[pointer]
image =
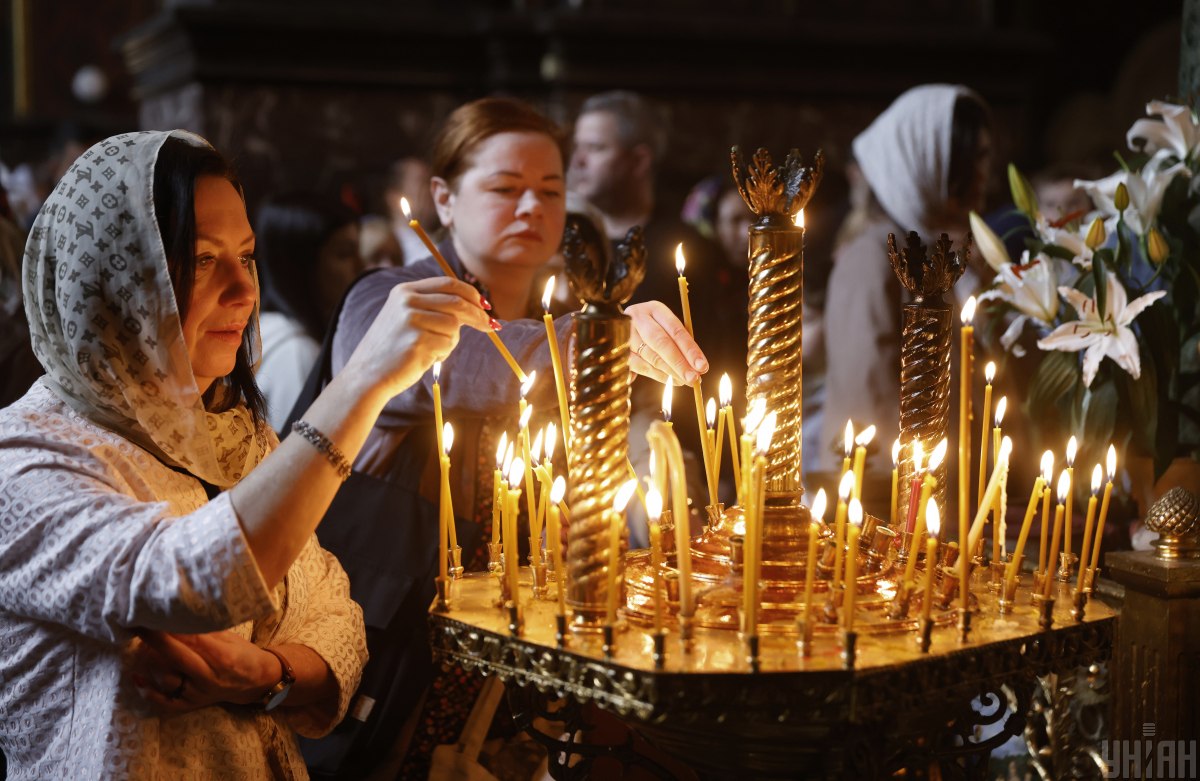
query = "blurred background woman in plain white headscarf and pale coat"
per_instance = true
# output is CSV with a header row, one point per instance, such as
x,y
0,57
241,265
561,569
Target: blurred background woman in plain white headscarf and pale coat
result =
x,y
926,160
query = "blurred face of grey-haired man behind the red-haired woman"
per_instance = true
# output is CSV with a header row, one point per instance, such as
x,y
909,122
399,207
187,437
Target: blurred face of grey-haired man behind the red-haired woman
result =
x,y
603,171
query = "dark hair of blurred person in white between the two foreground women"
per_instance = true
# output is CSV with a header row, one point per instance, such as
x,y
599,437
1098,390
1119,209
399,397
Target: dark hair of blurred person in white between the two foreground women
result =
x,y
289,236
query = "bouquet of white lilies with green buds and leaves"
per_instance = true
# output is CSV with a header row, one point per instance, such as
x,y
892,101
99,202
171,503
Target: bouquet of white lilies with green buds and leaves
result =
x,y
1119,284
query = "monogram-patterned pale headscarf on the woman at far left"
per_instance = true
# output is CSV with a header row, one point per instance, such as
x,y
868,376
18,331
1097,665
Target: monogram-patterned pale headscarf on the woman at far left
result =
x,y
104,319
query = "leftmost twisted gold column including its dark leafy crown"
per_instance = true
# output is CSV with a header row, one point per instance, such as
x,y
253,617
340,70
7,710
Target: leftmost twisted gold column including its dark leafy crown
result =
x,y
601,389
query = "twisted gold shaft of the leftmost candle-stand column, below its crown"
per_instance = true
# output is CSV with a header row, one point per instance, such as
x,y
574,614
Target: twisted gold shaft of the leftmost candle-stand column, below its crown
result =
x,y
601,389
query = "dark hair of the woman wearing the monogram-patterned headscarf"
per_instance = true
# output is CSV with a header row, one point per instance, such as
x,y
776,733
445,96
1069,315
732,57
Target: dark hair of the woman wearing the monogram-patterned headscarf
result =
x,y
176,173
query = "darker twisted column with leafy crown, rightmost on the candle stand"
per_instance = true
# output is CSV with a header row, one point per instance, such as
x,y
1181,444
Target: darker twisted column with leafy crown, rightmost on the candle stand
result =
x,y
926,350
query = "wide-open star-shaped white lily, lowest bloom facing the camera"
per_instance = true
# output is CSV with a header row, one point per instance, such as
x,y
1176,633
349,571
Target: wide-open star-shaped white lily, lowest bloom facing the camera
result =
x,y
1111,337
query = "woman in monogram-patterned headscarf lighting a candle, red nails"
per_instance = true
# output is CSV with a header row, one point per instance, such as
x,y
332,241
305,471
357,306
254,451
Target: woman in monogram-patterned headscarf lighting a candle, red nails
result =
x,y
164,605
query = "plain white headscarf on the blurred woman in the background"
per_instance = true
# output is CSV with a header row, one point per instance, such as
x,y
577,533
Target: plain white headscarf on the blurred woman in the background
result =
x,y
905,155
